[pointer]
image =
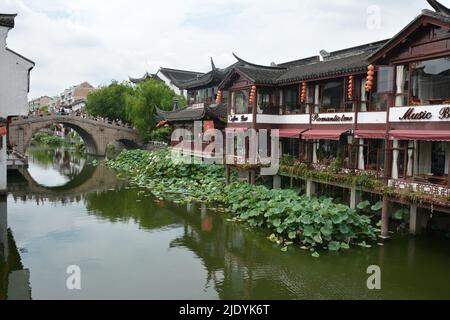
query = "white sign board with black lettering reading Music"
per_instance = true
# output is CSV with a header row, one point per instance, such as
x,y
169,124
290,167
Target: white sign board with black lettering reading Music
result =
x,y
435,113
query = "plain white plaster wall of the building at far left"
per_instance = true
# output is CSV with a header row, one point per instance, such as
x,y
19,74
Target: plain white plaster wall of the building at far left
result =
x,y
14,73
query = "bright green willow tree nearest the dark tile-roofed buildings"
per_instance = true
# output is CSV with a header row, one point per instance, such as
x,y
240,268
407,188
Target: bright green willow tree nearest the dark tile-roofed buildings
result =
x,y
141,106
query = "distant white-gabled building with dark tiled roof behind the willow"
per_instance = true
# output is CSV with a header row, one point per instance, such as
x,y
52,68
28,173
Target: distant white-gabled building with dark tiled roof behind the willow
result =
x,y
173,78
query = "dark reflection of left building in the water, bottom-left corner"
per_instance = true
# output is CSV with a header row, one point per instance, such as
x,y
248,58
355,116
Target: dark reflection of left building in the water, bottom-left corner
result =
x,y
14,279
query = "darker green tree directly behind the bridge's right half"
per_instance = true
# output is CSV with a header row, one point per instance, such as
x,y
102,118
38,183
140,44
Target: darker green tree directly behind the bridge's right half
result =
x,y
110,101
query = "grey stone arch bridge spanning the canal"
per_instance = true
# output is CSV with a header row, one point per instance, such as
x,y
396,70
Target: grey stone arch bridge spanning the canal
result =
x,y
96,134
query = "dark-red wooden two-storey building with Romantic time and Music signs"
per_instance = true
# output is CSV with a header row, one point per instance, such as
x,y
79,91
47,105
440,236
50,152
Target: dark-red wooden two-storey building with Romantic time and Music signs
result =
x,y
371,119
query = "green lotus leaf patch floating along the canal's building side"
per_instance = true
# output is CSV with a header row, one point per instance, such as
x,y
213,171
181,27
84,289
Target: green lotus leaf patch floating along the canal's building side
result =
x,y
316,223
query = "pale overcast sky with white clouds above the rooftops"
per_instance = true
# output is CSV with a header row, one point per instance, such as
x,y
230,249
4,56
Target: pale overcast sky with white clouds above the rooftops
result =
x,y
73,41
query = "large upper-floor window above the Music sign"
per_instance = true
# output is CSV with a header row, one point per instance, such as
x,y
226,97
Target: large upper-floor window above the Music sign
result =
x,y
431,82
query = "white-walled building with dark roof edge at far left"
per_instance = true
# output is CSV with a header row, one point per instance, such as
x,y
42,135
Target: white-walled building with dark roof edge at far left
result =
x,y
14,86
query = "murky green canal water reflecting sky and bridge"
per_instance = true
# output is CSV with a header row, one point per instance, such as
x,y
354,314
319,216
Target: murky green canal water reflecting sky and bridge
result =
x,y
130,246
